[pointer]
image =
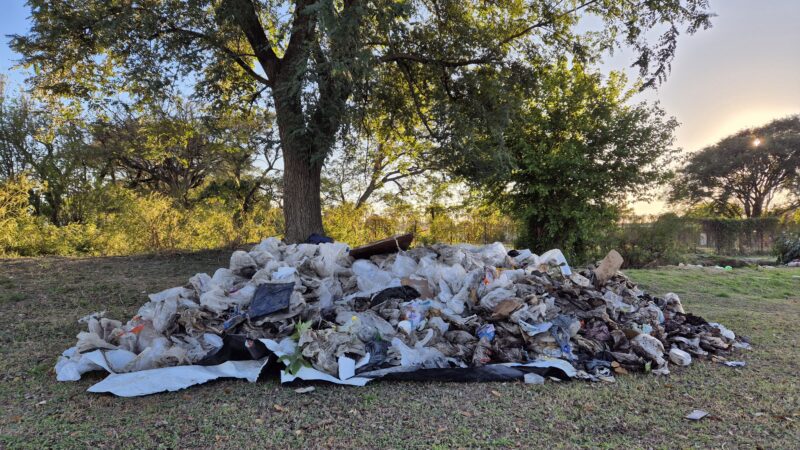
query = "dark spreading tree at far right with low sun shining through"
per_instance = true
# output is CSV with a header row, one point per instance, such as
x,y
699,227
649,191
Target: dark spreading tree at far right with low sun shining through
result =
x,y
750,168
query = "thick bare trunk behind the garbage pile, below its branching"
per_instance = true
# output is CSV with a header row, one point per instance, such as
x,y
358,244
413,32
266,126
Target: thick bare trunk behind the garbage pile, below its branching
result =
x,y
302,208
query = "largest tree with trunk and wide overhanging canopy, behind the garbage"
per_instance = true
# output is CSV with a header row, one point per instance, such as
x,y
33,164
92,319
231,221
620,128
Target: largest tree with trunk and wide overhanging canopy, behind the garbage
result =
x,y
318,60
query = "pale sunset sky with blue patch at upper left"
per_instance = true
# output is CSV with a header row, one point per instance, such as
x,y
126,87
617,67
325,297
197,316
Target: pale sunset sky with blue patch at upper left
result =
x,y
743,72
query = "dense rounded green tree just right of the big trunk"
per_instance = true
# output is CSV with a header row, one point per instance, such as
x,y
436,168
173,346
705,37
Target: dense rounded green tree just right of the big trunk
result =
x,y
575,152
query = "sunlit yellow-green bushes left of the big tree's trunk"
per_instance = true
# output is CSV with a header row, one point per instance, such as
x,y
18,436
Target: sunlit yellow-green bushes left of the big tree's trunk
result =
x,y
128,223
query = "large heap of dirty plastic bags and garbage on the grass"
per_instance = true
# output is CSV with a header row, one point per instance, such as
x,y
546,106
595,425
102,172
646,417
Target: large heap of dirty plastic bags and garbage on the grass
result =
x,y
452,312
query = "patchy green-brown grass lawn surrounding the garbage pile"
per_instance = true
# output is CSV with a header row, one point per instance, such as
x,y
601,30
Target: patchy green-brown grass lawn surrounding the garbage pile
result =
x,y
41,299
